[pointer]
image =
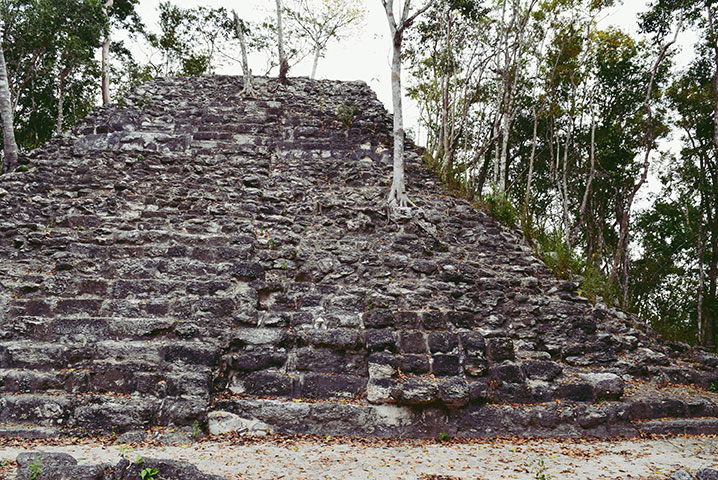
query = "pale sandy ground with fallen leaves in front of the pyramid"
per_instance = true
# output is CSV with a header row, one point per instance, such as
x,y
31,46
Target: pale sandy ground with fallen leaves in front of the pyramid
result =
x,y
334,458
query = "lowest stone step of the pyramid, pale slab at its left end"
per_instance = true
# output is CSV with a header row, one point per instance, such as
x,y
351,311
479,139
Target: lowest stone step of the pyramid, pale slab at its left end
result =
x,y
567,420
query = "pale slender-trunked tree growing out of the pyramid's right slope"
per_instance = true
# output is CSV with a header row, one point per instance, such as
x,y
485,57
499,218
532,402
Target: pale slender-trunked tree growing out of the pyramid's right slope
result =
x,y
397,194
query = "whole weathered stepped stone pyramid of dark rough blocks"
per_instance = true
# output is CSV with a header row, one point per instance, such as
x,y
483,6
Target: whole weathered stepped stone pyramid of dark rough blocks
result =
x,y
202,256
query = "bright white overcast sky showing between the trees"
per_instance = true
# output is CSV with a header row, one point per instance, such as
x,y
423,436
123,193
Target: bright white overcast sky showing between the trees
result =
x,y
366,55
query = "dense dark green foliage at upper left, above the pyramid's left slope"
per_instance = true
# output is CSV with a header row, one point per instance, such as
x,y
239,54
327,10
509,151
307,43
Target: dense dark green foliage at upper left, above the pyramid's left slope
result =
x,y
50,48
